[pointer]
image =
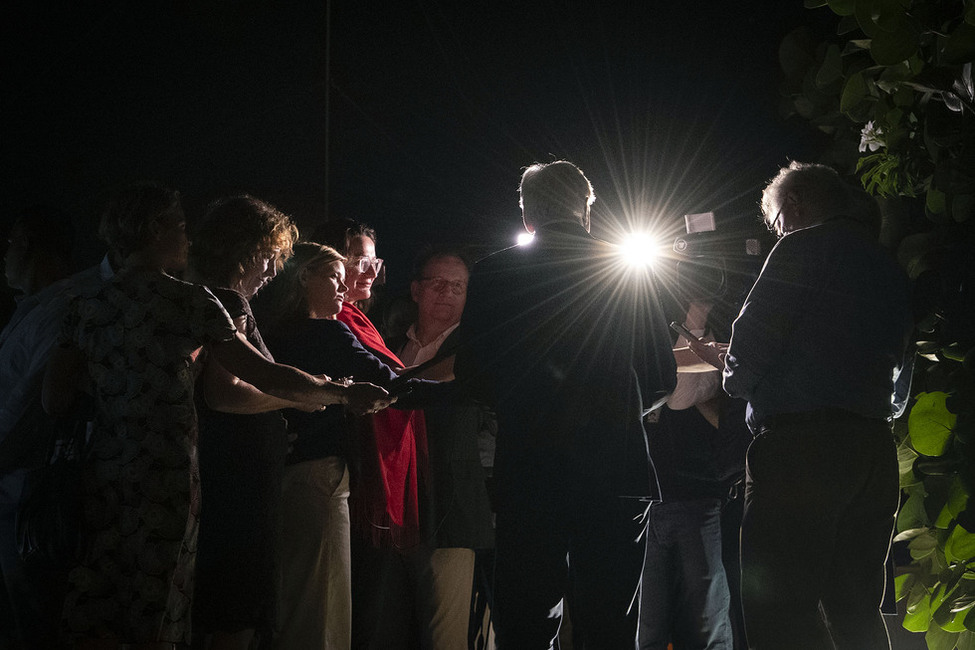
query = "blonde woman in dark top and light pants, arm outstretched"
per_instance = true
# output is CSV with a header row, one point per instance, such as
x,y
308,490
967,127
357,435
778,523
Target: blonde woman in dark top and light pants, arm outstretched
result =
x,y
305,300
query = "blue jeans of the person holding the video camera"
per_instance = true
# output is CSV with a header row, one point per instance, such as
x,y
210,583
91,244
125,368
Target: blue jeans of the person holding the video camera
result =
x,y
685,598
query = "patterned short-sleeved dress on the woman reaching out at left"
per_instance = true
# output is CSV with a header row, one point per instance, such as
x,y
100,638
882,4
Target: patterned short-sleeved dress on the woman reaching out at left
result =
x,y
140,335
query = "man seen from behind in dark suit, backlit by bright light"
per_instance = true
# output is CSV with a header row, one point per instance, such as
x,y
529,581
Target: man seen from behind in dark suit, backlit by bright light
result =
x,y
570,347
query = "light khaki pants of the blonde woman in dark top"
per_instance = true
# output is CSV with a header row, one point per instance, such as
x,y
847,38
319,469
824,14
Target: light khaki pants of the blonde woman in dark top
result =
x,y
315,601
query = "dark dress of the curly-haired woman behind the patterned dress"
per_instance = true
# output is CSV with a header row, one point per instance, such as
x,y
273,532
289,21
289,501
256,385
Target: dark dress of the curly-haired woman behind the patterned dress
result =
x,y
241,464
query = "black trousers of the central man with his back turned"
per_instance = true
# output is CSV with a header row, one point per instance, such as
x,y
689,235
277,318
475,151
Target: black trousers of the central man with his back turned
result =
x,y
587,548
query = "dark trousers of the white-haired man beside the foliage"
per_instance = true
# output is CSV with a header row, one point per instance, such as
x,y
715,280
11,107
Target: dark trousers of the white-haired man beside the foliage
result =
x,y
820,498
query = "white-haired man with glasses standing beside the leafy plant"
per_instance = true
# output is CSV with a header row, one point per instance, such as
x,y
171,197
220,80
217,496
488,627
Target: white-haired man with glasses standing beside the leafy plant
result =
x,y
814,350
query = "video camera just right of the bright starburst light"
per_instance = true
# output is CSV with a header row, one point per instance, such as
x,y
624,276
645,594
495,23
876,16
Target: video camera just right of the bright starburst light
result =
x,y
712,265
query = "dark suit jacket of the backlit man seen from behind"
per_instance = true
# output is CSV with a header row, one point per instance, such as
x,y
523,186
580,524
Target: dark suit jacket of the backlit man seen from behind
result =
x,y
569,347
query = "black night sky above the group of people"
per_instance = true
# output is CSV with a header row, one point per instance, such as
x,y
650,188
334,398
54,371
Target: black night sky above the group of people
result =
x,y
432,110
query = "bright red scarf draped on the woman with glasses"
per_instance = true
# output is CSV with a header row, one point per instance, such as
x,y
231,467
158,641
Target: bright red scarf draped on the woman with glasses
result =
x,y
384,506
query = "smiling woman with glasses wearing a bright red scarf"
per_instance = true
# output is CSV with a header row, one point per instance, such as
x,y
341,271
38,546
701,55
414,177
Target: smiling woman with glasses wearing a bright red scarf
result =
x,y
383,505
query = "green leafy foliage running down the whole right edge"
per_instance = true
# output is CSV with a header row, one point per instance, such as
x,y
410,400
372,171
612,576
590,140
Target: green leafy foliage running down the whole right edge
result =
x,y
894,89
